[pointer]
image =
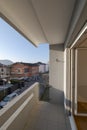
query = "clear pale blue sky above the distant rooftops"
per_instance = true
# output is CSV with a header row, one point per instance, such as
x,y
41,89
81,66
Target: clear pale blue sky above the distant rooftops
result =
x,y
16,48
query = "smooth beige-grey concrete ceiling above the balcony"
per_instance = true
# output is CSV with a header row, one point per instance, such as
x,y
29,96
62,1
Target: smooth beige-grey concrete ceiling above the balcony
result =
x,y
40,21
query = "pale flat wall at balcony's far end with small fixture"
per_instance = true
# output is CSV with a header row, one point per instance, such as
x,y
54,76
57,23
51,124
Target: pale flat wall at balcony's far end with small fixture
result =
x,y
56,68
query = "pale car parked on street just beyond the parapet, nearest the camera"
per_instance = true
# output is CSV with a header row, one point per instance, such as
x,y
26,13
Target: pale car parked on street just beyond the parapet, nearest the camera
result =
x,y
7,99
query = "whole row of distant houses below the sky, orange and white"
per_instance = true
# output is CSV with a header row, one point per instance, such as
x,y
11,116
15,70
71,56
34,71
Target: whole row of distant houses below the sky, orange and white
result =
x,y
21,69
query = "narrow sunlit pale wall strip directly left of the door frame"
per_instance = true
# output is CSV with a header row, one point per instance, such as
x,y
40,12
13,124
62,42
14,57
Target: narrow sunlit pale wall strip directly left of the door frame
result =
x,y
67,89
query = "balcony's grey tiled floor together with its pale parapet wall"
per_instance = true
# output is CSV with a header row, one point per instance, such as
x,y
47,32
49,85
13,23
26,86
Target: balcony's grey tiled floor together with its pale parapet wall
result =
x,y
27,112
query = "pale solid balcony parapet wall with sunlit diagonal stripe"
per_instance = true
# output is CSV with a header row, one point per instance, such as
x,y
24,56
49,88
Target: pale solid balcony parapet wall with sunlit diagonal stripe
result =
x,y
14,115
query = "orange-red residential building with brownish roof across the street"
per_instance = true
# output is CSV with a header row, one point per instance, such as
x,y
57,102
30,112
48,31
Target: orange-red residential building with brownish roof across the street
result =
x,y
20,69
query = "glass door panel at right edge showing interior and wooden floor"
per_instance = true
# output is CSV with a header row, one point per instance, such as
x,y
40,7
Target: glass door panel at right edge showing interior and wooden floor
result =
x,y
81,76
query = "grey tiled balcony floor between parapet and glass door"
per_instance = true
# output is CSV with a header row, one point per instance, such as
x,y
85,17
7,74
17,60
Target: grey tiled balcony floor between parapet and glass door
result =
x,y
49,115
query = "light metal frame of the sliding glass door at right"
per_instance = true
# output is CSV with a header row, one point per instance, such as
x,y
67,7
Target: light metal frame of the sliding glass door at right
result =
x,y
73,72
